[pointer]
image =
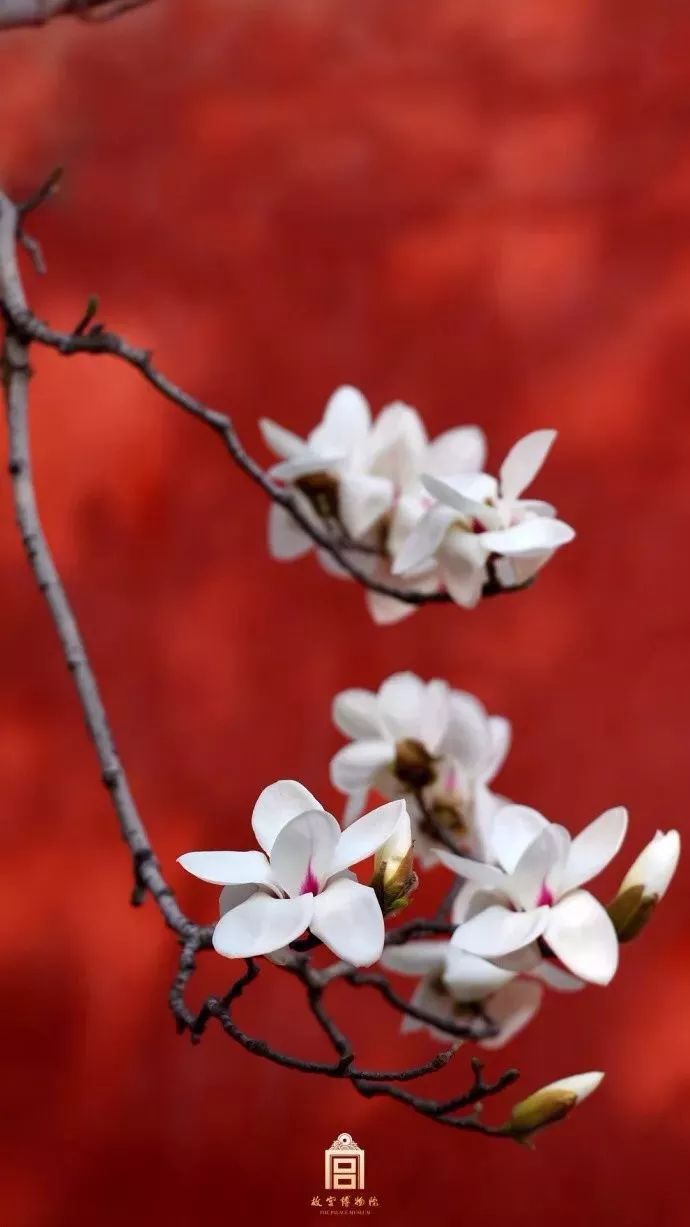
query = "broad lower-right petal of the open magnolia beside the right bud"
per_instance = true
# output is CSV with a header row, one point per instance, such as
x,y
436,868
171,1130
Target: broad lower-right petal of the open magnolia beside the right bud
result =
x,y
581,934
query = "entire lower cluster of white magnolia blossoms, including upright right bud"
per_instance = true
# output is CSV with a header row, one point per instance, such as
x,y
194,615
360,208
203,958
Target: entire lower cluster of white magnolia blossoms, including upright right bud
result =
x,y
522,917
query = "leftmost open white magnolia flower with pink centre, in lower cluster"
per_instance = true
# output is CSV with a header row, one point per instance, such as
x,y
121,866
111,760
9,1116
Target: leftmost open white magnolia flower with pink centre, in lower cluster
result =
x,y
300,880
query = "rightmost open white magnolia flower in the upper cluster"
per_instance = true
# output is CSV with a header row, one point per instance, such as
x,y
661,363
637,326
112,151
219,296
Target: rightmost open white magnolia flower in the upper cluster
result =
x,y
478,518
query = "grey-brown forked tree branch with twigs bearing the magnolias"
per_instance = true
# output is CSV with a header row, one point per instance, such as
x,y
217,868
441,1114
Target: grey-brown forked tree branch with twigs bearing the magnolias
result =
x,y
23,328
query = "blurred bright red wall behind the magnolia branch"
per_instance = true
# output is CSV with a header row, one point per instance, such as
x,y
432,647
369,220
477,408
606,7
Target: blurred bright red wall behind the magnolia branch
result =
x,y
482,209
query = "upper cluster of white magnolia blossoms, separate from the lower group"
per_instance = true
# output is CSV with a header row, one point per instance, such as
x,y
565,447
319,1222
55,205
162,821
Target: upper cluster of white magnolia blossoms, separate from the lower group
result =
x,y
417,515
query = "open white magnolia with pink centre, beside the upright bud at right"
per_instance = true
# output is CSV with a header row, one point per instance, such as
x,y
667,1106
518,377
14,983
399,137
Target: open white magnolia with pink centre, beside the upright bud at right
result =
x,y
541,873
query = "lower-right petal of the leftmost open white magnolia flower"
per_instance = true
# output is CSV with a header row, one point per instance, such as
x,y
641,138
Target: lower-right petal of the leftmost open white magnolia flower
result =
x,y
349,921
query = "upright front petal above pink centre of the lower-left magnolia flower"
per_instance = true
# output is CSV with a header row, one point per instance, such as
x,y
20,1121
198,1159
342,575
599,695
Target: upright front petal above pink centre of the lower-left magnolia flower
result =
x,y
303,853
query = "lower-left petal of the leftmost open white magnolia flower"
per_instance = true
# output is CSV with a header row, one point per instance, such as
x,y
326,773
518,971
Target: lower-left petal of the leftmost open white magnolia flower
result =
x,y
262,925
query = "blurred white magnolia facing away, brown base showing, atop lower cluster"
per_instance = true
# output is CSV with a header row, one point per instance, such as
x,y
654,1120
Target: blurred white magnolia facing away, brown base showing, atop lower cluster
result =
x,y
422,740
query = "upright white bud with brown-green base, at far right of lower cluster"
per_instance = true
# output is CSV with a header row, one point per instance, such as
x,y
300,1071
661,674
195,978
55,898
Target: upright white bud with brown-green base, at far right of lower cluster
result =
x,y
645,884
